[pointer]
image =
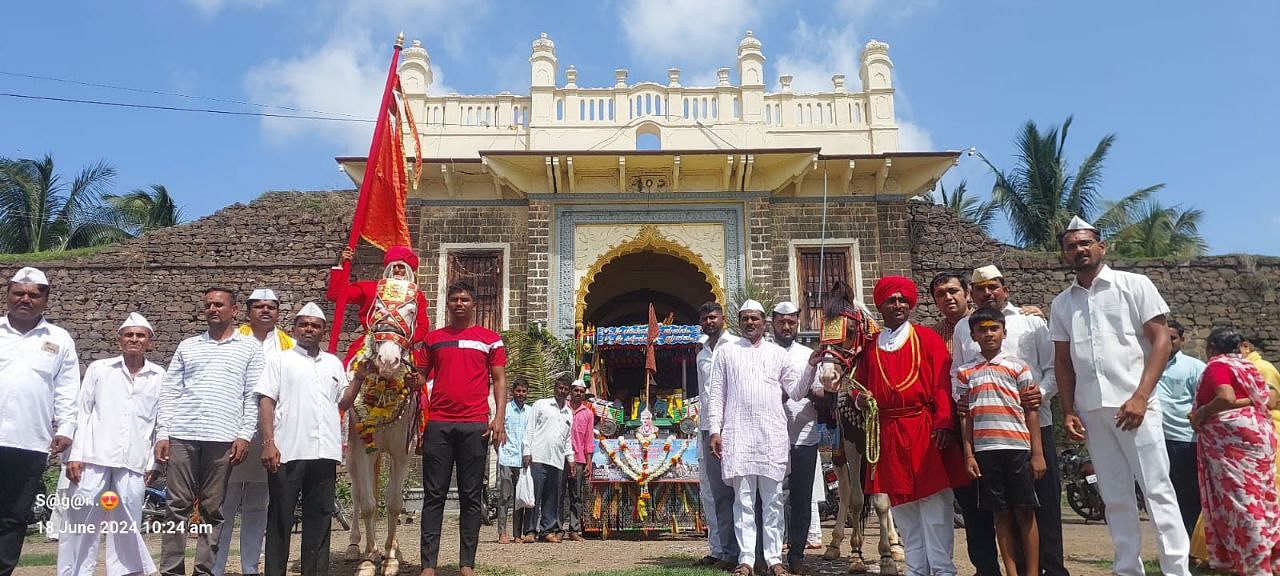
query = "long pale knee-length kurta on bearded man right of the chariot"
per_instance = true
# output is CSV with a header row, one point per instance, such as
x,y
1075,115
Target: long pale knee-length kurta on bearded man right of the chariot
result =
x,y
746,408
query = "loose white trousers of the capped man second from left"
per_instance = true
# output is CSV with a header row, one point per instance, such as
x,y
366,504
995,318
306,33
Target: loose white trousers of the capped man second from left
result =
x,y
126,551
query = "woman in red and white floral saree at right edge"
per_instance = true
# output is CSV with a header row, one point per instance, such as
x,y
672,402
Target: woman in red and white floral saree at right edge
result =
x,y
1237,447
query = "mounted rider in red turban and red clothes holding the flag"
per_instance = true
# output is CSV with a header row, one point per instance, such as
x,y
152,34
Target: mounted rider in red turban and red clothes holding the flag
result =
x,y
400,263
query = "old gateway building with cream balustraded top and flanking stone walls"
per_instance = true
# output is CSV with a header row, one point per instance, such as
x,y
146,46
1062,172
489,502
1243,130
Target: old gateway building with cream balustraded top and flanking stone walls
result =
x,y
547,205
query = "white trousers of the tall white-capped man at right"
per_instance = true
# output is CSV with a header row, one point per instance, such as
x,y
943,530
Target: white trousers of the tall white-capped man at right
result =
x,y
1119,459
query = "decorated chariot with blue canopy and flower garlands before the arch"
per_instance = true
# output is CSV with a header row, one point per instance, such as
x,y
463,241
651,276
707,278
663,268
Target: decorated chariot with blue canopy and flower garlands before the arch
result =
x,y
646,468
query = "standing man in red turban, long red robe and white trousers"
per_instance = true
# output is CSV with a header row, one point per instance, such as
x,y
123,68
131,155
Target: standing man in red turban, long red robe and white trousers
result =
x,y
908,373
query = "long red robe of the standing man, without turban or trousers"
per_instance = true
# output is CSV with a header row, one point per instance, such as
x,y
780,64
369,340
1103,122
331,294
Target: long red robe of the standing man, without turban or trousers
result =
x,y
913,390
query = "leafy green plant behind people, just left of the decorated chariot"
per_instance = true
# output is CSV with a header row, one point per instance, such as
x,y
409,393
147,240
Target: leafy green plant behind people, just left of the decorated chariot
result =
x,y
538,358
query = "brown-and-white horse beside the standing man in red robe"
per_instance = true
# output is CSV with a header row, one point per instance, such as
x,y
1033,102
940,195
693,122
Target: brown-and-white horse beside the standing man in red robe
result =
x,y
848,330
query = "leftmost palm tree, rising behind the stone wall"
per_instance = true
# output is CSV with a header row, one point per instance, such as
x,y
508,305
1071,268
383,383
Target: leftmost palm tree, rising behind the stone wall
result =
x,y
39,212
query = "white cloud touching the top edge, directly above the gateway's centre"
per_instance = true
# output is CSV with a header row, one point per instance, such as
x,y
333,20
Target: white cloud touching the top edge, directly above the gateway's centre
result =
x,y
691,34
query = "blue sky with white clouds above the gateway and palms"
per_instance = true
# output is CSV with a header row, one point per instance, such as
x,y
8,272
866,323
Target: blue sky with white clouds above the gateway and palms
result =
x,y
1191,89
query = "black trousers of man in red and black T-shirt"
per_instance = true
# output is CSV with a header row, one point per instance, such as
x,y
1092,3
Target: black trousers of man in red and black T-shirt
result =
x,y
449,446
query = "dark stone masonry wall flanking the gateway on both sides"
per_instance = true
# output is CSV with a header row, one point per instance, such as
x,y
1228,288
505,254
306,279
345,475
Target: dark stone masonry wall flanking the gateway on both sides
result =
x,y
290,240
